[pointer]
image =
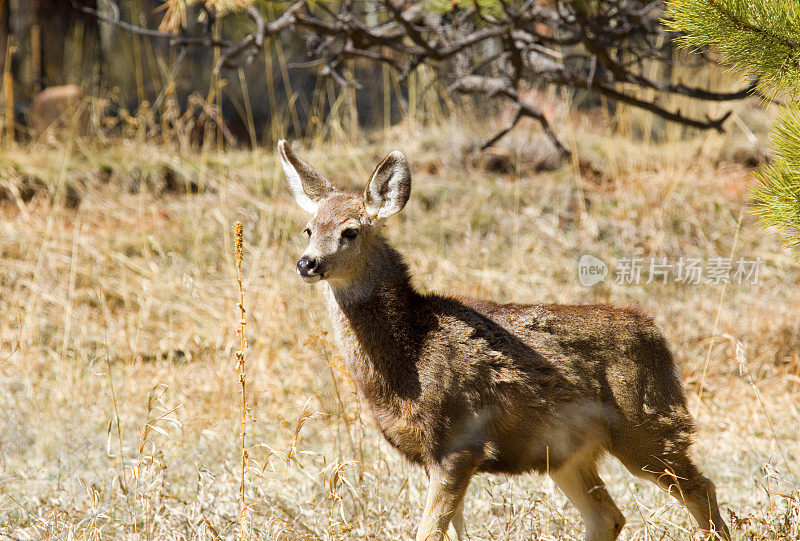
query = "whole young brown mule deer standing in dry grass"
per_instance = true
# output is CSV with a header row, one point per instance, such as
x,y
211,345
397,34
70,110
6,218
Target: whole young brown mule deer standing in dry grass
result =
x,y
462,386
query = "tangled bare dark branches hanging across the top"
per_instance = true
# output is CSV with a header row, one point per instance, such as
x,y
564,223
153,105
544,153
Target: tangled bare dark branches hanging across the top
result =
x,y
581,45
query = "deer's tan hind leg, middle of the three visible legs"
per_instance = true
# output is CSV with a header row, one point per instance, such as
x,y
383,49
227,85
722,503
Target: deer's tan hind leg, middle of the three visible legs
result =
x,y
587,492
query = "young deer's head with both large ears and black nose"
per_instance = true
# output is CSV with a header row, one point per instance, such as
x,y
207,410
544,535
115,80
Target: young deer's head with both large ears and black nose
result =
x,y
344,226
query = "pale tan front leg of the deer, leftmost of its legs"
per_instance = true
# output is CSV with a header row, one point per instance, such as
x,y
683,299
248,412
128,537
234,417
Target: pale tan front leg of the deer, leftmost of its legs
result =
x,y
448,483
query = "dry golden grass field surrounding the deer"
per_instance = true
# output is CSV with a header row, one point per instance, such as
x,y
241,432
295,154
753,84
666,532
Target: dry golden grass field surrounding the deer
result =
x,y
118,388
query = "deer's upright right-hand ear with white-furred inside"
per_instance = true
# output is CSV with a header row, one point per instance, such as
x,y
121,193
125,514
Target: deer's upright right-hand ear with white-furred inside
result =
x,y
389,186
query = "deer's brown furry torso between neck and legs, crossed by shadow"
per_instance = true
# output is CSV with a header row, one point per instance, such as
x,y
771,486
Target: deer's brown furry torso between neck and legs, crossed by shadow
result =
x,y
529,385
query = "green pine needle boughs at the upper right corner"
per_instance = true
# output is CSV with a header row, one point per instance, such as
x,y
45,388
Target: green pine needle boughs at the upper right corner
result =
x,y
760,38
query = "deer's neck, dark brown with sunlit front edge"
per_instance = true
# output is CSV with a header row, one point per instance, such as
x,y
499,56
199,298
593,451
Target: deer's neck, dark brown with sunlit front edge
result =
x,y
375,323
